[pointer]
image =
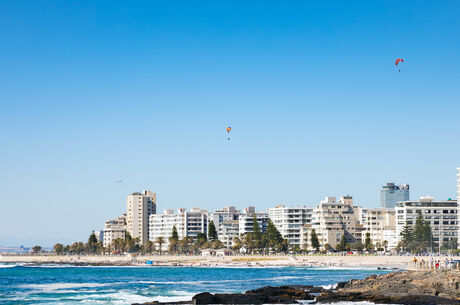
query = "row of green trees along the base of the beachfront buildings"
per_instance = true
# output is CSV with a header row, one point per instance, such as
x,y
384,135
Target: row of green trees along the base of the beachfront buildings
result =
x,y
416,241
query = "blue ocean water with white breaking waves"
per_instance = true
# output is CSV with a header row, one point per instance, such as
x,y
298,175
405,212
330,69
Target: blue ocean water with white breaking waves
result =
x,y
55,284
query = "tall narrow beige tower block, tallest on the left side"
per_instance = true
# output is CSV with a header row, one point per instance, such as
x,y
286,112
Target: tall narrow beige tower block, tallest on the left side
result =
x,y
139,207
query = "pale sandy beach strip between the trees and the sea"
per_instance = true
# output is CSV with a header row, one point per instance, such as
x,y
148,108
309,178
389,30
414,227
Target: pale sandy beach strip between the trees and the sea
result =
x,y
212,261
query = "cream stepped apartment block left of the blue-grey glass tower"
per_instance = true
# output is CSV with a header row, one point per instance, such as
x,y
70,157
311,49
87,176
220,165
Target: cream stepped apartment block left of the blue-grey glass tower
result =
x,y
331,220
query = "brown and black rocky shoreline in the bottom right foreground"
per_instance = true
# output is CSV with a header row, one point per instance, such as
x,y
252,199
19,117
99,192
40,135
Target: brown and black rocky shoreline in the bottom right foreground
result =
x,y
408,287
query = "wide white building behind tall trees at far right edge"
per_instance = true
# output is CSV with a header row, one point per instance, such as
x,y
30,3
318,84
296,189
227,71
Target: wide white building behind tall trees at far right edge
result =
x,y
441,215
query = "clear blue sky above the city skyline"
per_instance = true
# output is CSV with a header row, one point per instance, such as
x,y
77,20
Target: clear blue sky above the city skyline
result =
x,y
96,91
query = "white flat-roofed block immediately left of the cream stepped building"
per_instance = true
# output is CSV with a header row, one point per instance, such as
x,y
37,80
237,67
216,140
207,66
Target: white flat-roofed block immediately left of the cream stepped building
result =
x,y
289,221
